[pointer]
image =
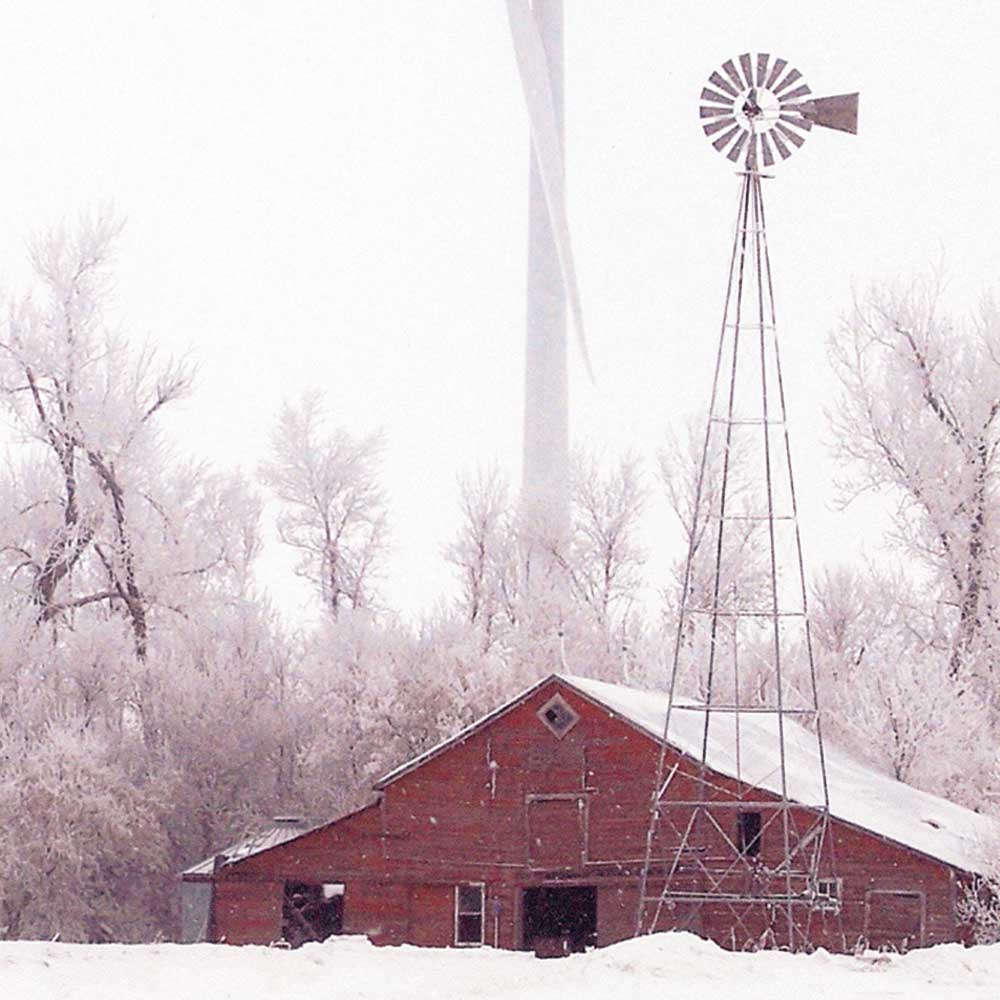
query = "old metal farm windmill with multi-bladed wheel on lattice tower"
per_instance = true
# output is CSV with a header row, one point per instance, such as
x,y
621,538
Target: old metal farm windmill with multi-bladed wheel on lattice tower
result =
x,y
749,860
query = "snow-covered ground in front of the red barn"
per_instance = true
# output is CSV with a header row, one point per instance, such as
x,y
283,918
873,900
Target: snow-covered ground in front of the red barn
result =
x,y
662,966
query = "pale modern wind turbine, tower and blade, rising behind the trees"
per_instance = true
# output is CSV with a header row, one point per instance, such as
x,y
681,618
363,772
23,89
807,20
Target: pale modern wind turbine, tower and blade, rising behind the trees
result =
x,y
536,31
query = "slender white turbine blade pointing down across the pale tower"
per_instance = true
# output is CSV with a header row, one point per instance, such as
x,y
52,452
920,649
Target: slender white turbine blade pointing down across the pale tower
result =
x,y
546,142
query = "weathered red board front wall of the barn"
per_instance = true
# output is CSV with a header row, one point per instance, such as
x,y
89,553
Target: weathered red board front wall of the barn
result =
x,y
512,806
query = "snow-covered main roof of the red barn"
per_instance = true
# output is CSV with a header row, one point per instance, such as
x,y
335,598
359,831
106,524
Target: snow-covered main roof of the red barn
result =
x,y
858,795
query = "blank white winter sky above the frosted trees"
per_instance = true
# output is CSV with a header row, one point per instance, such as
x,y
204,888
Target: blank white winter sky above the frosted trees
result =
x,y
334,194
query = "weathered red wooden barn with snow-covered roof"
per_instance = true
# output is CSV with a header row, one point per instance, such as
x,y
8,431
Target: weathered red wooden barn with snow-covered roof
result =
x,y
528,829
